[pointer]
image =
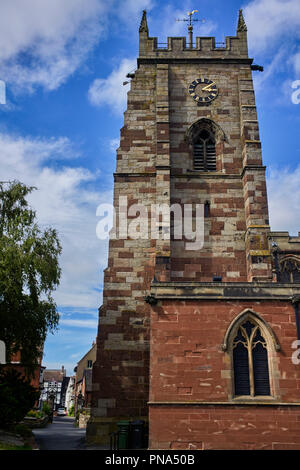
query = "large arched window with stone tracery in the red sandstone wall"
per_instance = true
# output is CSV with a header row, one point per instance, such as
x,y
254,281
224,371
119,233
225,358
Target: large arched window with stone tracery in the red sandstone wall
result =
x,y
250,361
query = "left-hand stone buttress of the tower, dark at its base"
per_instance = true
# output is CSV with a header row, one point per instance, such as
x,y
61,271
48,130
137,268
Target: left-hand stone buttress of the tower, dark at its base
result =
x,y
121,372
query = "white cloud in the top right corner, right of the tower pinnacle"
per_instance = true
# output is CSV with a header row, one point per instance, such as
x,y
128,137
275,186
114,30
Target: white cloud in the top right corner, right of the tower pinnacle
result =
x,y
269,20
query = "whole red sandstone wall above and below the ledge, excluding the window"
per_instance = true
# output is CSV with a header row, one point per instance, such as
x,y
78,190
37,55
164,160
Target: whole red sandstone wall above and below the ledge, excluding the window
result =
x,y
189,365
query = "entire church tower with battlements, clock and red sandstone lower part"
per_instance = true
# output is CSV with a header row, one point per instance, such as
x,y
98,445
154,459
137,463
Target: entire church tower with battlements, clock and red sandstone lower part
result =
x,y
196,334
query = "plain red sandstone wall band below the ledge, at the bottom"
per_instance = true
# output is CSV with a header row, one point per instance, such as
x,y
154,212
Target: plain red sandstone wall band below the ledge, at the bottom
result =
x,y
225,427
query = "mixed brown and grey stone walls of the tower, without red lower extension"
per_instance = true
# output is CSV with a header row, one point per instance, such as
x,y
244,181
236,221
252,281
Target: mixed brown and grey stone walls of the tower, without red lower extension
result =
x,y
154,166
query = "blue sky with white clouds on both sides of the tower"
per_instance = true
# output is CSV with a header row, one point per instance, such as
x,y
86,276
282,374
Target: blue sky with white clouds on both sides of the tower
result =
x,y
64,64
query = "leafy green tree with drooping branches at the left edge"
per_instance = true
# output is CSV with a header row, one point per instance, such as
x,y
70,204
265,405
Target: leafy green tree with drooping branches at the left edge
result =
x,y
29,272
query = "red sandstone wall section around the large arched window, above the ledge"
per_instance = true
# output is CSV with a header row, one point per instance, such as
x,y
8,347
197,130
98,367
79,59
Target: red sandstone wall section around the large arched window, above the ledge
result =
x,y
187,361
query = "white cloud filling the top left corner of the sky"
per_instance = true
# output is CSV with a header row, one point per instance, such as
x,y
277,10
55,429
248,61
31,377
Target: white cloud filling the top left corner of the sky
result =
x,y
46,24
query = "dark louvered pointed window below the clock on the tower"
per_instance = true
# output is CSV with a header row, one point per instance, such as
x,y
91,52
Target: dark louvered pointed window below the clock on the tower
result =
x,y
205,152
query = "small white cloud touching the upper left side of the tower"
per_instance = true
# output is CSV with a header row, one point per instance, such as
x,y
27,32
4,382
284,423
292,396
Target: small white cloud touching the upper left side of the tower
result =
x,y
110,91
